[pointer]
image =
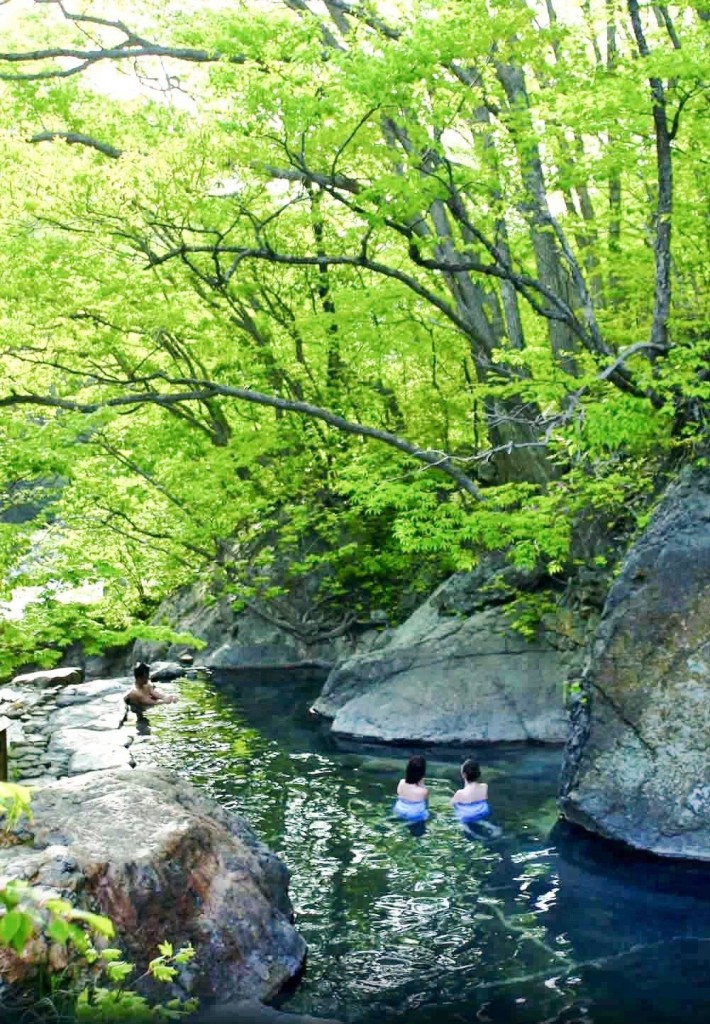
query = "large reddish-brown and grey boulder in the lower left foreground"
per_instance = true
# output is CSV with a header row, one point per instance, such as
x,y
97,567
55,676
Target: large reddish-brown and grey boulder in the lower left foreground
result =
x,y
165,864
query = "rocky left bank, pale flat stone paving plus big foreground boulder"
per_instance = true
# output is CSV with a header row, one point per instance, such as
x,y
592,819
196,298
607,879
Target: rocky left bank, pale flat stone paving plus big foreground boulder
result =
x,y
147,849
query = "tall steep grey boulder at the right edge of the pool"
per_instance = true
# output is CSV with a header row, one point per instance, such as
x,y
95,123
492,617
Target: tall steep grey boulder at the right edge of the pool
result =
x,y
637,766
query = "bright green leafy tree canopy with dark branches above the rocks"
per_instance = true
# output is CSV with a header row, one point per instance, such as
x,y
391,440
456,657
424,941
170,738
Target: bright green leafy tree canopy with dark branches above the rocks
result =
x,y
389,285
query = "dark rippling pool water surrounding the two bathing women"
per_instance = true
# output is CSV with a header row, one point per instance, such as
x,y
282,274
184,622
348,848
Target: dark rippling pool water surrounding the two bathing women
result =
x,y
540,925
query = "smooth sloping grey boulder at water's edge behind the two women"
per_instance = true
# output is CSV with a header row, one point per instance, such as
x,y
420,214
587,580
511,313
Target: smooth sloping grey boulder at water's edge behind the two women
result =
x,y
456,673
